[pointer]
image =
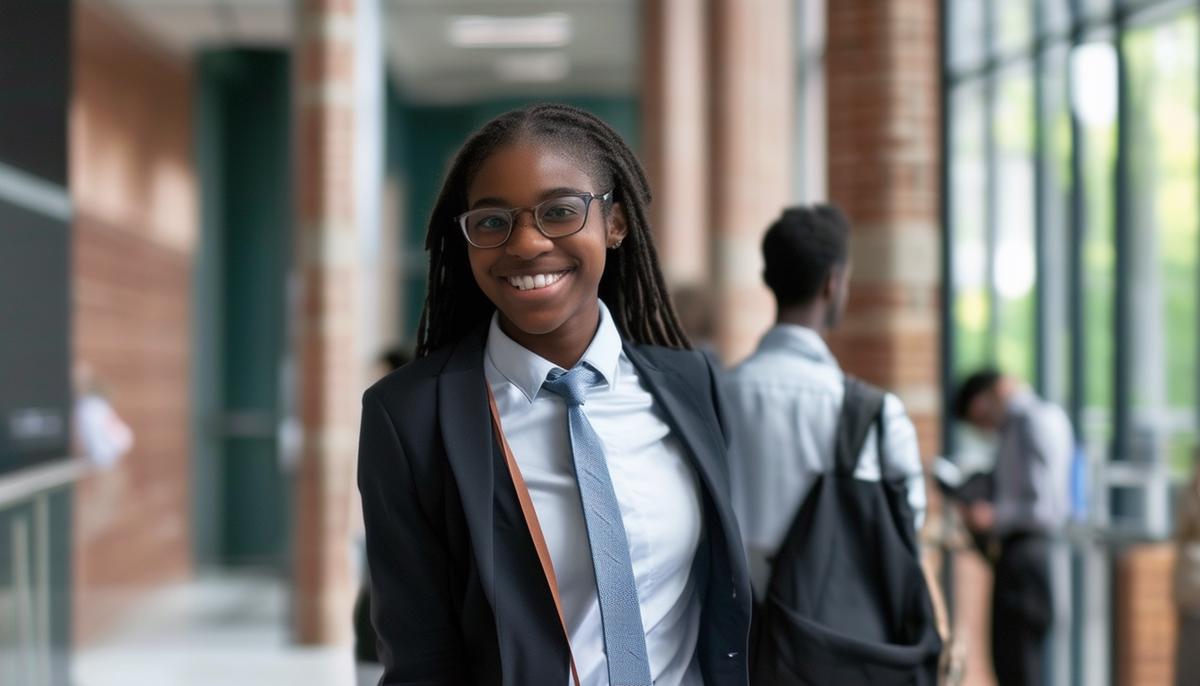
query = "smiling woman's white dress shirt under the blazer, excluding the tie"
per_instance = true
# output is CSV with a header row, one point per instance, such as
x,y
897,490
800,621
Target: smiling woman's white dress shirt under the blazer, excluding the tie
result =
x,y
656,486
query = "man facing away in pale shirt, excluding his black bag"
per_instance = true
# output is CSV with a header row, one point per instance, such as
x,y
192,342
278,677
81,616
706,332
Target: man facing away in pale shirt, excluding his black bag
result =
x,y
787,399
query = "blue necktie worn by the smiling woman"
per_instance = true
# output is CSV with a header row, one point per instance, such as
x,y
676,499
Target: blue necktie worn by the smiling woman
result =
x,y
621,617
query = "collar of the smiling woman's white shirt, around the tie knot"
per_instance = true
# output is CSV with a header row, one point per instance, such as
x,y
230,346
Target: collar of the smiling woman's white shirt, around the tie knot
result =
x,y
527,371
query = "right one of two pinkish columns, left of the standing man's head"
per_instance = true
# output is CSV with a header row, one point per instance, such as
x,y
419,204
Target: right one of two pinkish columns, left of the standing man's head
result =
x,y
753,81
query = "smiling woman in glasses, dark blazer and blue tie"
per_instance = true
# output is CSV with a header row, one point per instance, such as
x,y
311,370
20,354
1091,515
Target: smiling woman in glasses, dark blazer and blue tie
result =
x,y
583,539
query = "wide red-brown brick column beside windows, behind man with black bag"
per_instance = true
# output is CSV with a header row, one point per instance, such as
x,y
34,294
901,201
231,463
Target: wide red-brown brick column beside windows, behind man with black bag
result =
x,y
883,76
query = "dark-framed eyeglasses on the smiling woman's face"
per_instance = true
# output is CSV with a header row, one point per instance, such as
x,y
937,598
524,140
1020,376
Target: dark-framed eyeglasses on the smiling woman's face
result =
x,y
557,218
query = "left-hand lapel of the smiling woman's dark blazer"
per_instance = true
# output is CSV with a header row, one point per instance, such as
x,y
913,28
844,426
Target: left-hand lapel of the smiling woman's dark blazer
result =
x,y
467,437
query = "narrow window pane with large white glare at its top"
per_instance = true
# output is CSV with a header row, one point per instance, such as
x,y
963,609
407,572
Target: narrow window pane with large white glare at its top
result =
x,y
1095,103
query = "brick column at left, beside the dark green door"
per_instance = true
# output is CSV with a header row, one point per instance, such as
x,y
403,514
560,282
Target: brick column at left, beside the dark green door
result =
x,y
331,376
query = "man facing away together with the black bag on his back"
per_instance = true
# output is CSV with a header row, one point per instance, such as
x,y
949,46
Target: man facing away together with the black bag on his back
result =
x,y
827,485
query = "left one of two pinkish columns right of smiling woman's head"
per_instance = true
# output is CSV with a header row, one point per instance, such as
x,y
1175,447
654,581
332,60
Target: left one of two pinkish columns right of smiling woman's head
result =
x,y
675,136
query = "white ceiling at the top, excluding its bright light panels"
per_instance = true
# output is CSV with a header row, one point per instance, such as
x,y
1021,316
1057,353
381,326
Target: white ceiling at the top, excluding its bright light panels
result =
x,y
602,58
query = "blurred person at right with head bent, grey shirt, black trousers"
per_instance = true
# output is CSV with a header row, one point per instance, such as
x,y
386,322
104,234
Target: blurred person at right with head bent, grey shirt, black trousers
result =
x,y
1028,507
